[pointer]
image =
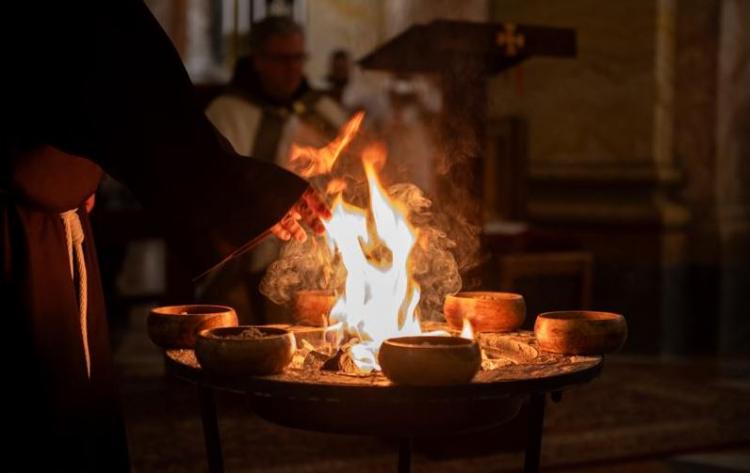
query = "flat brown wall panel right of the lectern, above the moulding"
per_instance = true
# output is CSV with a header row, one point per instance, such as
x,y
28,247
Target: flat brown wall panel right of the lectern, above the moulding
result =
x,y
595,110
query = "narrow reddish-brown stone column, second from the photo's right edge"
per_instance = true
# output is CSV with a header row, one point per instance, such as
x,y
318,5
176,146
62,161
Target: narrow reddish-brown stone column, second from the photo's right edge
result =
x,y
697,41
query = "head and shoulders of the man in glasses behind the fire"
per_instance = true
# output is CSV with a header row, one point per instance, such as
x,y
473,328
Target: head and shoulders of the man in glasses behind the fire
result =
x,y
269,103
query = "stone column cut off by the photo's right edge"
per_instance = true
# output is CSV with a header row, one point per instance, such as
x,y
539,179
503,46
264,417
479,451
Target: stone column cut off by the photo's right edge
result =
x,y
733,175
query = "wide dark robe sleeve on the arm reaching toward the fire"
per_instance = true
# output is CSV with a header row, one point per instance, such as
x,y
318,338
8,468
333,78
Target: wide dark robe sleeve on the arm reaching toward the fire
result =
x,y
138,119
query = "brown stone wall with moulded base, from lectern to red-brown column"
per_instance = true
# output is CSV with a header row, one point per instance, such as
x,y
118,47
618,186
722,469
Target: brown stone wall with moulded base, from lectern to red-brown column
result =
x,y
603,167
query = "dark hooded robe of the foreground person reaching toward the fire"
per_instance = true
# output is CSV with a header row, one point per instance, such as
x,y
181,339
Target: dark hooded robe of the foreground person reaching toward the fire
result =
x,y
91,86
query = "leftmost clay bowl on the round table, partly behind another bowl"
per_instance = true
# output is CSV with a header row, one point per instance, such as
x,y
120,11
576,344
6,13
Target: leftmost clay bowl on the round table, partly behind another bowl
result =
x,y
176,326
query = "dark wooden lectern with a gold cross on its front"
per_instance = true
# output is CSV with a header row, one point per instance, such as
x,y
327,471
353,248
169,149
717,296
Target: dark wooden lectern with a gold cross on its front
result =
x,y
464,55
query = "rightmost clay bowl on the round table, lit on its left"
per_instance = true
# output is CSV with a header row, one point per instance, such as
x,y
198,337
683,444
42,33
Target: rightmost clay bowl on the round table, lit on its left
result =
x,y
580,332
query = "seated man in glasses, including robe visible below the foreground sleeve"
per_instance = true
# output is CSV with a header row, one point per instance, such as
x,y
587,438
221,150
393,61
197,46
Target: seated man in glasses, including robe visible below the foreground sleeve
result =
x,y
267,106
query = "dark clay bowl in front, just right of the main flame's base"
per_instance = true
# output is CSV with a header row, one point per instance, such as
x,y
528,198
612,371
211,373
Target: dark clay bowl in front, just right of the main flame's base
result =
x,y
429,360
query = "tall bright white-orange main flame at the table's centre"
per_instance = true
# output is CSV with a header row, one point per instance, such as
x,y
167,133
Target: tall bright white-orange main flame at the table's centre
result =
x,y
380,297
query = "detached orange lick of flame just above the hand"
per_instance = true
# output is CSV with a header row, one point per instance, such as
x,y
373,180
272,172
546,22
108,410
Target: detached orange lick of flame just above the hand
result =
x,y
308,161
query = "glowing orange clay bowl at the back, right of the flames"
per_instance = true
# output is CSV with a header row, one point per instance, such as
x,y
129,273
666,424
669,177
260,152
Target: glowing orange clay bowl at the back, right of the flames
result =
x,y
486,311
